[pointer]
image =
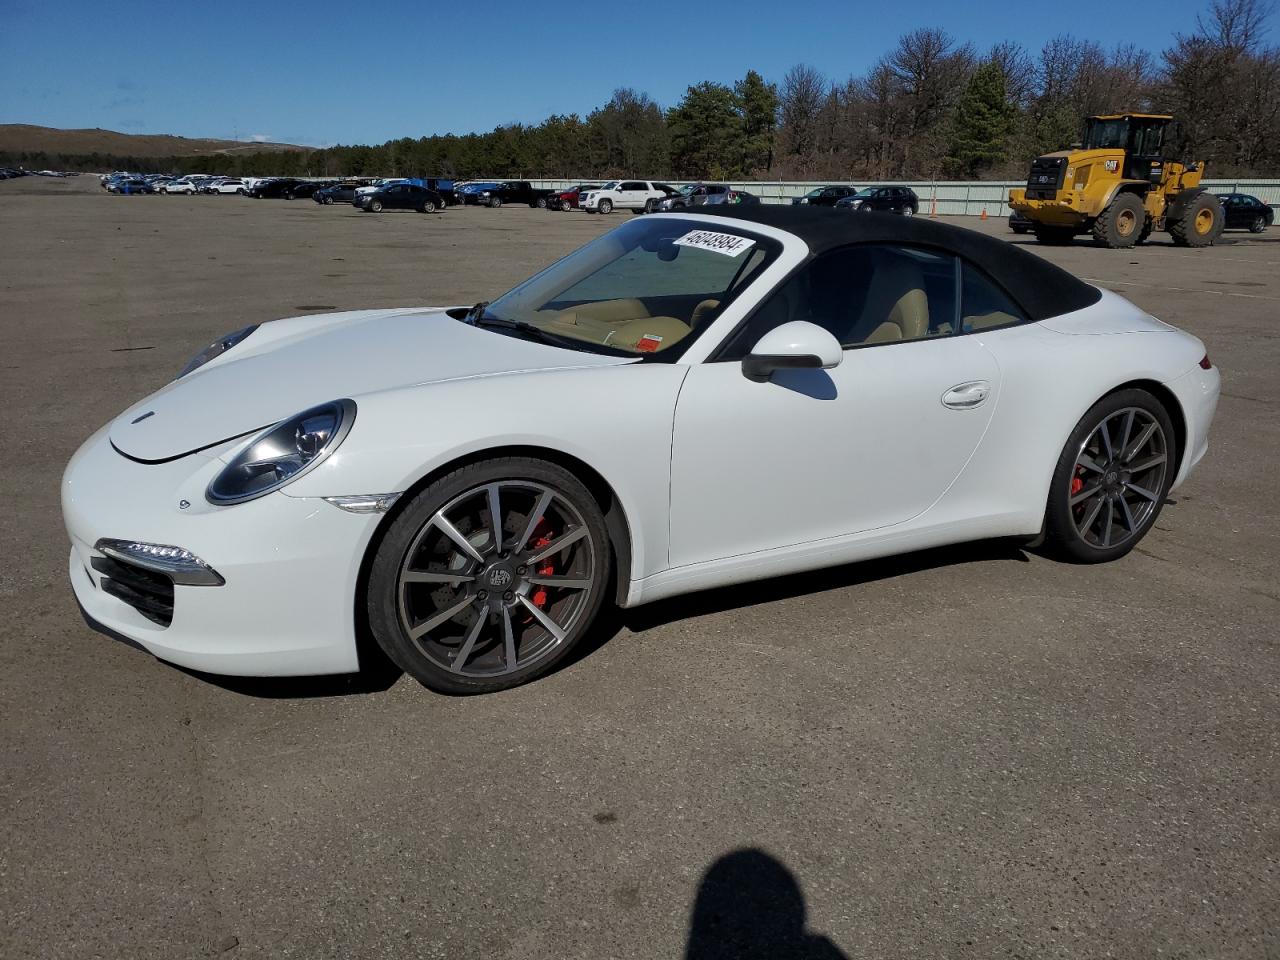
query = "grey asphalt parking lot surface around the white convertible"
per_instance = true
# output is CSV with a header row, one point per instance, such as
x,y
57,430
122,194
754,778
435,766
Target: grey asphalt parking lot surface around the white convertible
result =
x,y
966,753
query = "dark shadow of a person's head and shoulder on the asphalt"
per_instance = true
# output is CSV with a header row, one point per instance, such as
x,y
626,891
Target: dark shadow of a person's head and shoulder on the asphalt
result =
x,y
751,907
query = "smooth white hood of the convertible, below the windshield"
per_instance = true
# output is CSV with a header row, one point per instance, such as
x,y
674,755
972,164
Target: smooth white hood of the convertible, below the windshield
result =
x,y
287,367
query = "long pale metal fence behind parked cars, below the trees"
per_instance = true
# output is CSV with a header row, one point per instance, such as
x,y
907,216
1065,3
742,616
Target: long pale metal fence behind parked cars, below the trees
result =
x,y
945,198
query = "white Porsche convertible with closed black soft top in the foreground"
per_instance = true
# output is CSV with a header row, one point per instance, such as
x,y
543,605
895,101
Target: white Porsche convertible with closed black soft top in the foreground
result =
x,y
692,400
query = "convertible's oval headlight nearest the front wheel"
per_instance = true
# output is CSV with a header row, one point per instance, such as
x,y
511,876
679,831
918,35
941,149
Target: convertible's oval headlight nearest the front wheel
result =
x,y
282,454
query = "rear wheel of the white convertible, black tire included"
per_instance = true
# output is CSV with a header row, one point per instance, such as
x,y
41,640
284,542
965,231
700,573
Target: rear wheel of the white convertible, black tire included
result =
x,y
1112,479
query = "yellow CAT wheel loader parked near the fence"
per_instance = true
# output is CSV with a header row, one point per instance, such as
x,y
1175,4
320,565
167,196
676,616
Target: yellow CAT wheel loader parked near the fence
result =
x,y
1121,185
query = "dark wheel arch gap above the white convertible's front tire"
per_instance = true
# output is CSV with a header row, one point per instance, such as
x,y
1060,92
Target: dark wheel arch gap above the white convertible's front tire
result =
x,y
615,522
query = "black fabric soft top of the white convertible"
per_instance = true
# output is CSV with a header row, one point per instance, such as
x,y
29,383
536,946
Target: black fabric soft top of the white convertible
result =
x,y
1040,289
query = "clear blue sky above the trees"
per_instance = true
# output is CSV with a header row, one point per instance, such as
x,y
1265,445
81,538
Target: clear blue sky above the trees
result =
x,y
323,74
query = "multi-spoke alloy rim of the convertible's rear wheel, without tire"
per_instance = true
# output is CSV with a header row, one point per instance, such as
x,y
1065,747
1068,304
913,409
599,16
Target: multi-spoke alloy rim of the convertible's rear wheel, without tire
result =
x,y
1119,478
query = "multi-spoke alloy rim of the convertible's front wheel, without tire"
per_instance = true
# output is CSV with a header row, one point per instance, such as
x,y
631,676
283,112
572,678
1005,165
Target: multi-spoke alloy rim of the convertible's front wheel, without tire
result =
x,y
497,579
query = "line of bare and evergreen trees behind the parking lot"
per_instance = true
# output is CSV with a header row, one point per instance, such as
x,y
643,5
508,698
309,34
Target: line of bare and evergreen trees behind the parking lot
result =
x,y
930,109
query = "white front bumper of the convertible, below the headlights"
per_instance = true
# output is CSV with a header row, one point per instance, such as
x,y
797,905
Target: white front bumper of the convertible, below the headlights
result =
x,y
291,565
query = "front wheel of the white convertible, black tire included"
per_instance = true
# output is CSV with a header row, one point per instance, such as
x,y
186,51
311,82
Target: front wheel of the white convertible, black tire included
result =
x,y
469,606
